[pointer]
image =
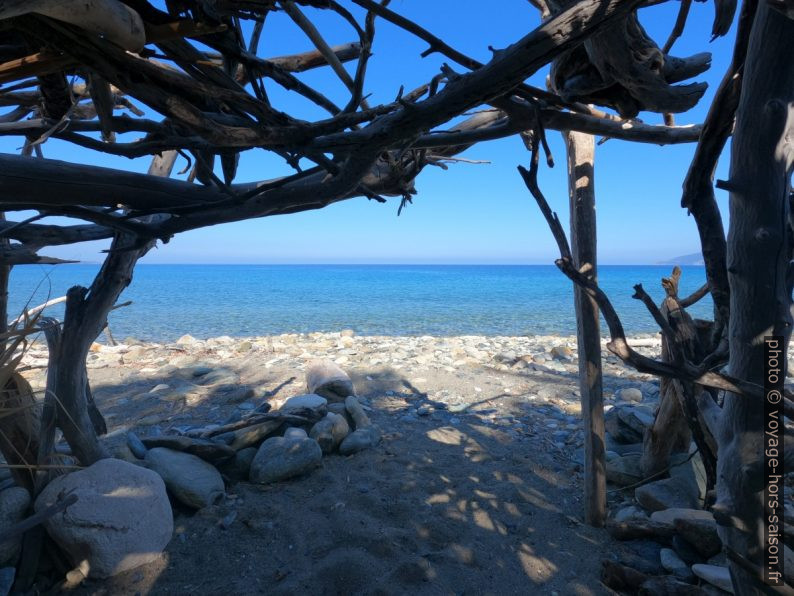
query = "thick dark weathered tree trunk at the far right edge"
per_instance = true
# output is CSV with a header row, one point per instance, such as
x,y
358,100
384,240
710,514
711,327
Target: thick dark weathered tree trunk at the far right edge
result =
x,y
758,257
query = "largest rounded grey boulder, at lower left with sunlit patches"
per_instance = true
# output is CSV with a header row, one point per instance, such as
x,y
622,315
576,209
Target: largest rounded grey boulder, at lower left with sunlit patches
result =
x,y
122,517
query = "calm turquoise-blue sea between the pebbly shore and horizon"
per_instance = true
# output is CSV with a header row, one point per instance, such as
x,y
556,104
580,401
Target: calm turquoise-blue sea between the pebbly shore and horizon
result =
x,y
246,300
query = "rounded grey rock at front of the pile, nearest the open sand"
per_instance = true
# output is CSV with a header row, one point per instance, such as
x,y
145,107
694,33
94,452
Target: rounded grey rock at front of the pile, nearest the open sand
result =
x,y
281,458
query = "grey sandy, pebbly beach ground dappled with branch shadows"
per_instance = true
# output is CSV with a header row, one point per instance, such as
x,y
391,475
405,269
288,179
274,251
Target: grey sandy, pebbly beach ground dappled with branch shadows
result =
x,y
475,489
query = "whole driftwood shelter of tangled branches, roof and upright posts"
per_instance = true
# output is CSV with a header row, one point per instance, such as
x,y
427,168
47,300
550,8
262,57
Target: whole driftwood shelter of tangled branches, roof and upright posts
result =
x,y
77,72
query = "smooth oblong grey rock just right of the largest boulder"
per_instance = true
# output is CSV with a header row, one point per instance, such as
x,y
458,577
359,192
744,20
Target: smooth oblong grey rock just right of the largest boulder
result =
x,y
191,480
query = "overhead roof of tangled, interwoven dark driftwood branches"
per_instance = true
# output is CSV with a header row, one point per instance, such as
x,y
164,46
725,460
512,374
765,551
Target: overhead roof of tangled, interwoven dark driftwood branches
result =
x,y
79,72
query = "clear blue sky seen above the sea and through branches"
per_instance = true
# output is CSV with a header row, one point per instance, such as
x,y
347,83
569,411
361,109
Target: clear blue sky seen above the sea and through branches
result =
x,y
470,213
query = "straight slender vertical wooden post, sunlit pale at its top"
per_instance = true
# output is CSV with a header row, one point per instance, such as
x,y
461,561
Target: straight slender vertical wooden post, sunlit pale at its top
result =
x,y
580,149
